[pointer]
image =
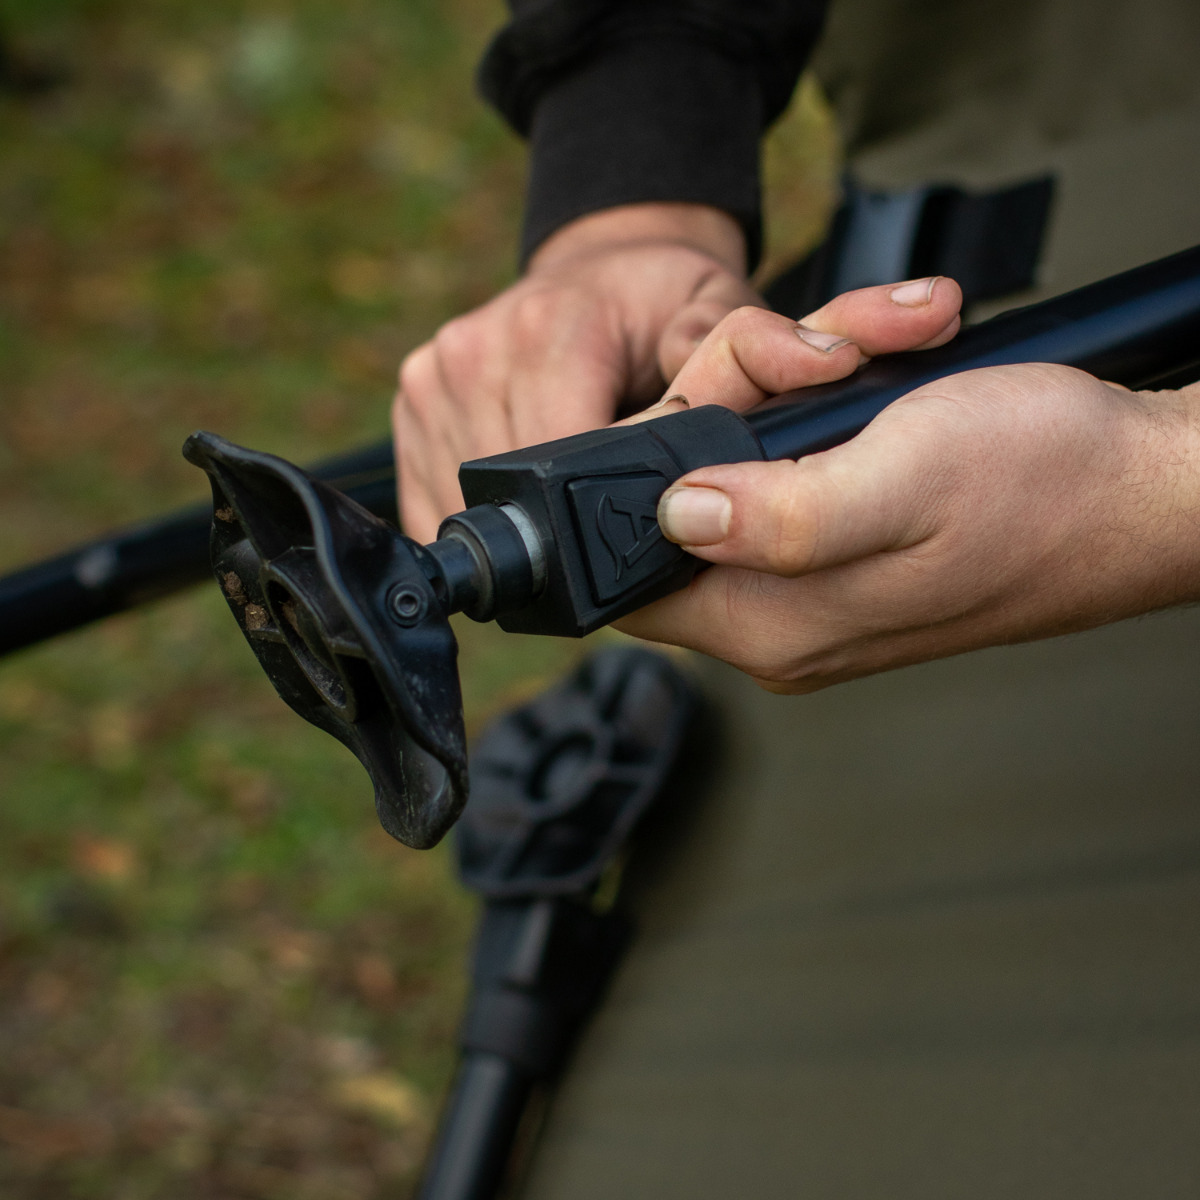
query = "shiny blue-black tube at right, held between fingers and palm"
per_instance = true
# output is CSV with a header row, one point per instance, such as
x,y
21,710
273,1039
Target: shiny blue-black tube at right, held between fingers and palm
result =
x,y
1139,329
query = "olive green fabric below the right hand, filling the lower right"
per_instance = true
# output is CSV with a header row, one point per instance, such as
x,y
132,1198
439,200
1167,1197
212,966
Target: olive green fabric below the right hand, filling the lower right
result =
x,y
939,940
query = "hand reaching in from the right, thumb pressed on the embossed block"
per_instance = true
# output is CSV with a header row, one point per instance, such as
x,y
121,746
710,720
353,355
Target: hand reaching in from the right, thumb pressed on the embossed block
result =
x,y
992,507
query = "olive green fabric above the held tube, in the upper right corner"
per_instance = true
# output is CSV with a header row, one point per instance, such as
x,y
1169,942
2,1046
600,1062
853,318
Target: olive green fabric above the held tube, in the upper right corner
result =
x,y
1105,94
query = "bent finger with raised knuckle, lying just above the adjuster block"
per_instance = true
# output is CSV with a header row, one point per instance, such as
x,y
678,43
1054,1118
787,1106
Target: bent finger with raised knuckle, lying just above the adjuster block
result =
x,y
753,355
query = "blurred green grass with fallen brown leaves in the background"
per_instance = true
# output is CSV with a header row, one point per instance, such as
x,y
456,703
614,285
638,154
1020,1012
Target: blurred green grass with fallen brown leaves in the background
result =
x,y
219,979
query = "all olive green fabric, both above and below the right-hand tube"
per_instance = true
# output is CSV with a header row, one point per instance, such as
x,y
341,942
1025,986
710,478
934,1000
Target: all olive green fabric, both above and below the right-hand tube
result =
x,y
938,934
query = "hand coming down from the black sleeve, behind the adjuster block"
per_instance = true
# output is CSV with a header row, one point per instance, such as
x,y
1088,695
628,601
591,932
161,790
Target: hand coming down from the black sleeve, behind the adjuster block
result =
x,y
611,305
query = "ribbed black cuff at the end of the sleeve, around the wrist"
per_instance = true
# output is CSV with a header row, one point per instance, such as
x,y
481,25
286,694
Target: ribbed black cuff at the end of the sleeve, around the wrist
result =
x,y
652,121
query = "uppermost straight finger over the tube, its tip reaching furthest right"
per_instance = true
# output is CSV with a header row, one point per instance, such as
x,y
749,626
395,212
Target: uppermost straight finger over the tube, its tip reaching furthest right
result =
x,y
895,317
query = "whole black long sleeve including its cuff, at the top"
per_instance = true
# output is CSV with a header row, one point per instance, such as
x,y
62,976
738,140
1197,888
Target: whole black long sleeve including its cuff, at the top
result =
x,y
629,101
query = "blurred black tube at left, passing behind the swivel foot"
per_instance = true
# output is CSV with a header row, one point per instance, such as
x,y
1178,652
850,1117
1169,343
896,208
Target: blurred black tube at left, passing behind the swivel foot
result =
x,y
154,560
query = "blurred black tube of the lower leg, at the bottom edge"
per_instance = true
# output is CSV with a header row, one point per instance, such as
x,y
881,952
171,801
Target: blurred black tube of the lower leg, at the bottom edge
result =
x,y
488,1100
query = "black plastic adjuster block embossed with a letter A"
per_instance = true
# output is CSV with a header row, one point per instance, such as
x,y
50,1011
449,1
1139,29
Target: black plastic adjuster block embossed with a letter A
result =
x,y
593,497
